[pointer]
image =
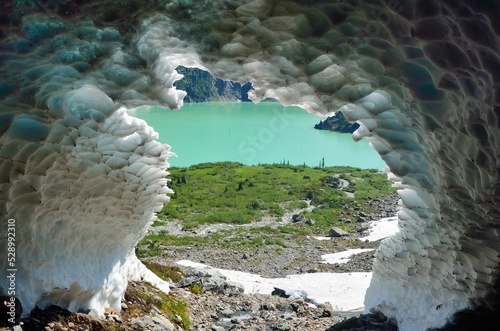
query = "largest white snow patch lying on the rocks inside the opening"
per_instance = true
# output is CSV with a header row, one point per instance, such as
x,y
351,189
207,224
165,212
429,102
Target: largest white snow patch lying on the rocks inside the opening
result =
x,y
344,291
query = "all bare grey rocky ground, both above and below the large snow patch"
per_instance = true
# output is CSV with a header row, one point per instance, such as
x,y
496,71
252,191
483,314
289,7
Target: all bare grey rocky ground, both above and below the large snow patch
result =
x,y
218,305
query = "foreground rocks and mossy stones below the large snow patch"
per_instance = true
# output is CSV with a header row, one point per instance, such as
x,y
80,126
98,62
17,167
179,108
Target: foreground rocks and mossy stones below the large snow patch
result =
x,y
219,308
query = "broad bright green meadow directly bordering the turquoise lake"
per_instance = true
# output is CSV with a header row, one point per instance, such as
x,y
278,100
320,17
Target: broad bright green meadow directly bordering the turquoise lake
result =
x,y
232,193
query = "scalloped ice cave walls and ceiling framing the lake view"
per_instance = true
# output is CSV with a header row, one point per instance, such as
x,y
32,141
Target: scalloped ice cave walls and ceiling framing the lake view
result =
x,y
82,179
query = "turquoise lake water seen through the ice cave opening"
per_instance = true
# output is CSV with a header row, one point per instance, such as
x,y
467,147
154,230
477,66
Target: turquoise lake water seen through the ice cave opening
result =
x,y
251,134
